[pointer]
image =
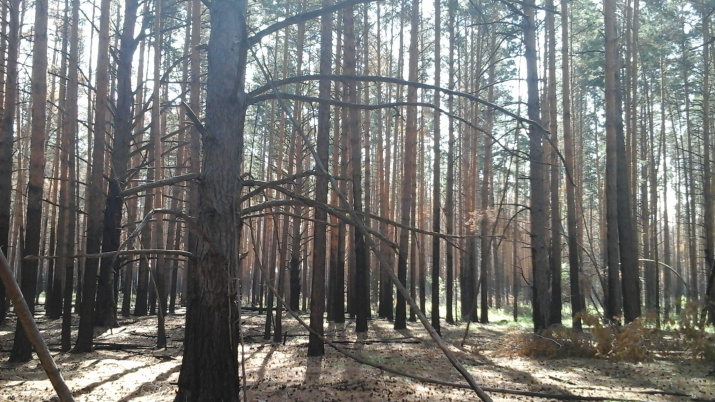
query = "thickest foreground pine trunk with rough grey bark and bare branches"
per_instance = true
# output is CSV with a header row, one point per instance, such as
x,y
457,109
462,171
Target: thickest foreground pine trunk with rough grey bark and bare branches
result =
x,y
207,373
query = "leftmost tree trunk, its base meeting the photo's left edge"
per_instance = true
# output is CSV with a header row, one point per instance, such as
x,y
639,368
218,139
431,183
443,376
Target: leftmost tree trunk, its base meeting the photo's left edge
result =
x,y
7,136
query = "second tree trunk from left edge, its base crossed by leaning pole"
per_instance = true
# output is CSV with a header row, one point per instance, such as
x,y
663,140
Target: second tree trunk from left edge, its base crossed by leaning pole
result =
x,y
21,348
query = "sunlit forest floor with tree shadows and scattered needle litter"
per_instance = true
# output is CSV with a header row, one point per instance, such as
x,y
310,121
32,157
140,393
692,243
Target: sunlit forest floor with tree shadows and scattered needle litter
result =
x,y
126,367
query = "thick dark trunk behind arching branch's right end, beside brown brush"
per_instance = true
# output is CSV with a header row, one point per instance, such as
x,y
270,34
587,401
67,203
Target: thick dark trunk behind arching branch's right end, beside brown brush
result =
x,y
539,203
